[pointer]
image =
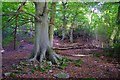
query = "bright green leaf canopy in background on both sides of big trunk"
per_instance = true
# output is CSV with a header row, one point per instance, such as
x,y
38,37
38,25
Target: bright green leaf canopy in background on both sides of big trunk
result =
x,y
86,22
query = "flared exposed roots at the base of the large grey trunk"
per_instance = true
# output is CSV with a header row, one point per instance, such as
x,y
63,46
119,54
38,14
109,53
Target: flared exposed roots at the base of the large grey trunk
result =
x,y
47,54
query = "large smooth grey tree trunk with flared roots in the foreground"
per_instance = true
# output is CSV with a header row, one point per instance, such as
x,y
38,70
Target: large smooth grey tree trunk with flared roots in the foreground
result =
x,y
42,49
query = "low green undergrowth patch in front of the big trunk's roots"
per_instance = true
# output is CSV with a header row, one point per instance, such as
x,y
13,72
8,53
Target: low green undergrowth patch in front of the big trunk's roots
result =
x,y
25,67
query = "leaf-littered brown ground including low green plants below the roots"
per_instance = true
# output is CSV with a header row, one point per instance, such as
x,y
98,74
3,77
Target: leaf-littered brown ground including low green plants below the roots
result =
x,y
14,65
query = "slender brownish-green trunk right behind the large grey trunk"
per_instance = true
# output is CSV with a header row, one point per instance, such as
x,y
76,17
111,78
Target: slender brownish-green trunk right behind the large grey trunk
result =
x,y
52,17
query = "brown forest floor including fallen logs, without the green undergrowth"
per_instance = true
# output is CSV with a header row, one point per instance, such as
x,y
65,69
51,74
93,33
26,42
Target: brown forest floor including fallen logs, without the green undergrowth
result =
x,y
92,66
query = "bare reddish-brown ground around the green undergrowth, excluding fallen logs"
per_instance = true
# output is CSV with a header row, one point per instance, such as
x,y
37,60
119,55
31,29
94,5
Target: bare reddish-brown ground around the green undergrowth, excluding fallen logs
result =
x,y
92,66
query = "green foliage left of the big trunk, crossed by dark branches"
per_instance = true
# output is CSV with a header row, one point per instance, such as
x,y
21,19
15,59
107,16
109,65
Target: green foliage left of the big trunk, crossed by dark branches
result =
x,y
9,22
